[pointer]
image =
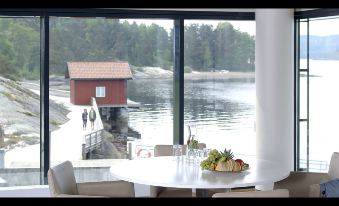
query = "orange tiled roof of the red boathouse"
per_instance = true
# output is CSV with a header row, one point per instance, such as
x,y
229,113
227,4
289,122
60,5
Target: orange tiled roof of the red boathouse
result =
x,y
99,70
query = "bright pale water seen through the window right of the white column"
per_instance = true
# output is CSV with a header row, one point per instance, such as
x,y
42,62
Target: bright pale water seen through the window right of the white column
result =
x,y
323,110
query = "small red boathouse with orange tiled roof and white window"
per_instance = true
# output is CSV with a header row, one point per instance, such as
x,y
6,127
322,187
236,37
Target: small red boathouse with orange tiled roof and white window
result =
x,y
106,81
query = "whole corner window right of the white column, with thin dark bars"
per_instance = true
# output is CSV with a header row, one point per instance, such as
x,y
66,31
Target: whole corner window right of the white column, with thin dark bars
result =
x,y
318,99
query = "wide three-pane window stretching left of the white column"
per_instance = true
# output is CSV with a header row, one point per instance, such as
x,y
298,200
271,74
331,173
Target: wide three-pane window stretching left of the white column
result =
x,y
125,76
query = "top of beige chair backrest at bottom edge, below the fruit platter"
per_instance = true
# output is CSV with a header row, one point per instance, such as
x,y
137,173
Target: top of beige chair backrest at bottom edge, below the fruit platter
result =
x,y
273,193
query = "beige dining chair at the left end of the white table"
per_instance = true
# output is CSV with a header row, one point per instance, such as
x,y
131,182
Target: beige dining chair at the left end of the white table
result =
x,y
62,183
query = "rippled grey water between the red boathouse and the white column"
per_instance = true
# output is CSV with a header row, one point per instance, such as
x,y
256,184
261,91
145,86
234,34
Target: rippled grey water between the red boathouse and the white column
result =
x,y
223,112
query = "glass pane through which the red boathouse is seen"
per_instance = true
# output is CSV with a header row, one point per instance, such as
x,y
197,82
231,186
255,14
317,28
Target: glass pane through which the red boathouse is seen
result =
x,y
130,63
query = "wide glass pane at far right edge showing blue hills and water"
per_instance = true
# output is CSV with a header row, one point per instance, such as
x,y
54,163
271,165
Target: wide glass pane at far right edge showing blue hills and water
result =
x,y
324,101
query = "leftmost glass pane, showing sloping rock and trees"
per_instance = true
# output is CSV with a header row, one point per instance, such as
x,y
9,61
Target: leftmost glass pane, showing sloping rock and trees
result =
x,y
20,101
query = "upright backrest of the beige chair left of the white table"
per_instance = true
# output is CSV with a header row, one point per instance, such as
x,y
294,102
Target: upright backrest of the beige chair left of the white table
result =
x,y
61,179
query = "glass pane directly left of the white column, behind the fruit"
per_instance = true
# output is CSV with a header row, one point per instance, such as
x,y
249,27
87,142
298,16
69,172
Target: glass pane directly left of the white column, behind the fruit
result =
x,y
220,84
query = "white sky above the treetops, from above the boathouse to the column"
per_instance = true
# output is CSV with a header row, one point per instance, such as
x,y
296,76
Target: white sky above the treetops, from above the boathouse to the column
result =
x,y
244,26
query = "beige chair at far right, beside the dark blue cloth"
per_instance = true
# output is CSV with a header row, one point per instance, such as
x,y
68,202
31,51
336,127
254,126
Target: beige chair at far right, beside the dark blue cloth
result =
x,y
306,184
